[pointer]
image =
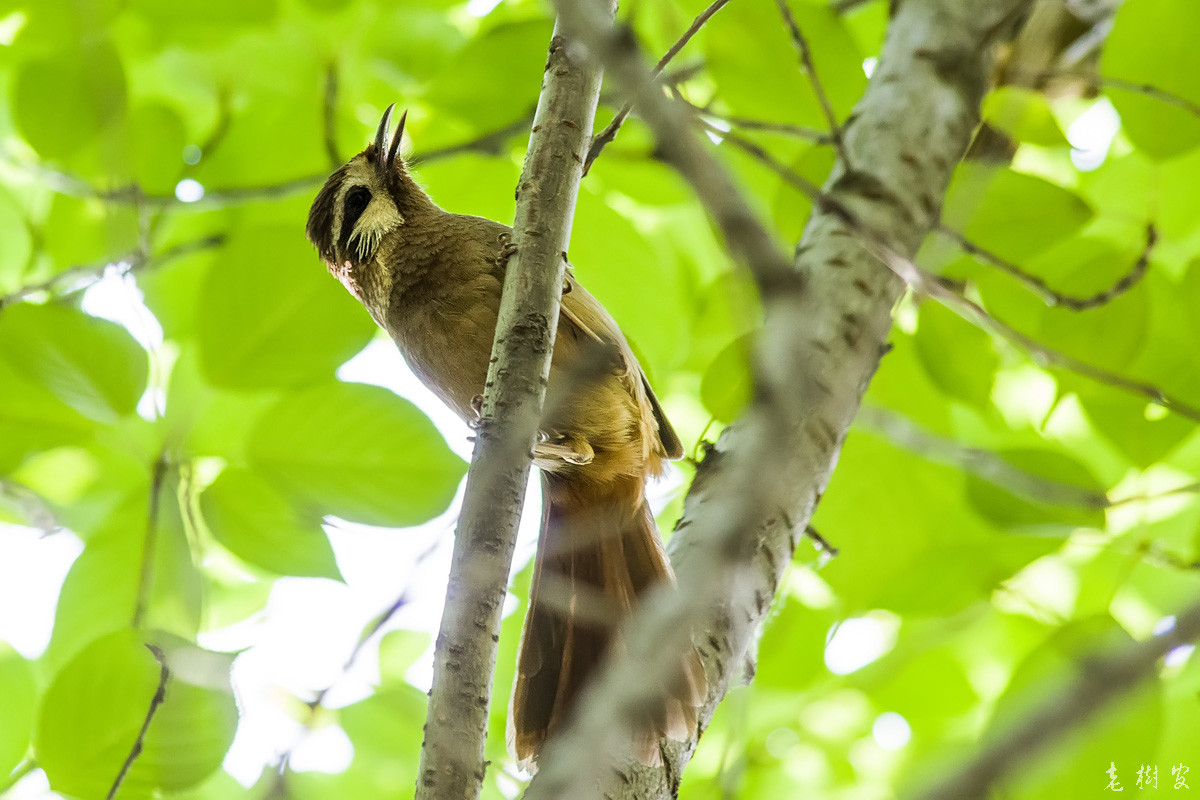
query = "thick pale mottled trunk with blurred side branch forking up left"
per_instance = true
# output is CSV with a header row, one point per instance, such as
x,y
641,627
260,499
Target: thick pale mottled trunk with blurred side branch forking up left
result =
x,y
826,321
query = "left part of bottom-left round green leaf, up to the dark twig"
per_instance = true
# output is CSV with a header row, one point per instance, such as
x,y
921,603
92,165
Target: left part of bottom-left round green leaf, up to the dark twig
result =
x,y
92,714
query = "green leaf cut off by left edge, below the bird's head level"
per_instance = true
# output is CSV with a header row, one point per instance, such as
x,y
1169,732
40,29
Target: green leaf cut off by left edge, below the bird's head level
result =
x,y
92,365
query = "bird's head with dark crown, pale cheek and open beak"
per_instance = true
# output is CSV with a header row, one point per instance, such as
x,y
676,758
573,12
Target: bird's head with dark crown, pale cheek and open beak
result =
x,y
362,203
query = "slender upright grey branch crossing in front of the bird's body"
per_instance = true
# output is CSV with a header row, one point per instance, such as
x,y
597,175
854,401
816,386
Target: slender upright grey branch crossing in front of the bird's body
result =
x,y
465,658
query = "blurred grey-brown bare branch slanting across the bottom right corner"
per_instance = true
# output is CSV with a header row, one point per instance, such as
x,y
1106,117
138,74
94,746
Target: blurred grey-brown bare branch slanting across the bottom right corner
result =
x,y
1101,679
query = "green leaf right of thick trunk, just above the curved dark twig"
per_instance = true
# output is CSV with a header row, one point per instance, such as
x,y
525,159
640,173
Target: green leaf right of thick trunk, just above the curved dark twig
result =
x,y
1012,214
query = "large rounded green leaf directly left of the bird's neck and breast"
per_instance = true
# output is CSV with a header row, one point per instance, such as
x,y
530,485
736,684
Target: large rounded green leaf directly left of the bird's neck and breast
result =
x,y
273,315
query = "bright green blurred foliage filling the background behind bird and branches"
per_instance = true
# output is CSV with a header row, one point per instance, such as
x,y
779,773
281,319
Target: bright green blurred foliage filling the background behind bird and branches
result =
x,y
172,149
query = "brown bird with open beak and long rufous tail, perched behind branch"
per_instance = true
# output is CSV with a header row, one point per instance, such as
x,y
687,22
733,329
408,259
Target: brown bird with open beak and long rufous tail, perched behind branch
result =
x,y
433,279
